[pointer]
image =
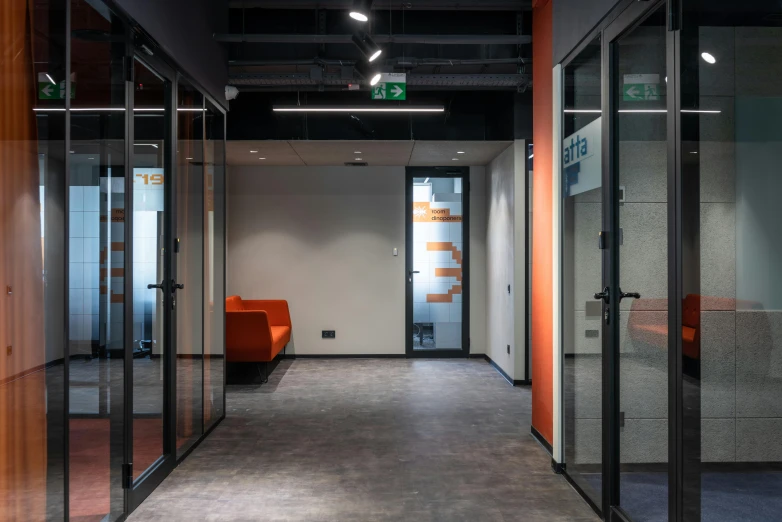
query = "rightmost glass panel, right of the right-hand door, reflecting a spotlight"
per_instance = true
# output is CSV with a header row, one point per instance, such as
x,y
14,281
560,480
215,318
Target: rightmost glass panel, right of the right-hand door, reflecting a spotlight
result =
x,y
731,68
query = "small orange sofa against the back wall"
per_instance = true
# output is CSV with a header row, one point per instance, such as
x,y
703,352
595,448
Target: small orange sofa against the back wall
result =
x,y
256,331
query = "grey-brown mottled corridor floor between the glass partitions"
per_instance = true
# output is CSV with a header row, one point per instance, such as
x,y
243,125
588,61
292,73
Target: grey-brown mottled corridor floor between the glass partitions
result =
x,y
370,440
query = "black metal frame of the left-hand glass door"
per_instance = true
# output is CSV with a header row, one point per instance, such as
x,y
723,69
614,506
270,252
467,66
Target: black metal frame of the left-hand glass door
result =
x,y
139,49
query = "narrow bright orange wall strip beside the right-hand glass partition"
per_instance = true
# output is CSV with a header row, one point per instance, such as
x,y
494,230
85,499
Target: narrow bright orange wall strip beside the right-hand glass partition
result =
x,y
542,196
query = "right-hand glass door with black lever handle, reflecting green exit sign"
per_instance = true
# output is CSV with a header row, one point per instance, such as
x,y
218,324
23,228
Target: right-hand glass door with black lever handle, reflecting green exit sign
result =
x,y
638,282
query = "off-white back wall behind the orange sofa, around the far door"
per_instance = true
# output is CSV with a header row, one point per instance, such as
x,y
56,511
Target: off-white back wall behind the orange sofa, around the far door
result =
x,y
323,238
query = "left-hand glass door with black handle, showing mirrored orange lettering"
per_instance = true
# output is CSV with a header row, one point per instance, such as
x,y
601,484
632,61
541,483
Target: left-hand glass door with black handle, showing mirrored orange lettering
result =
x,y
149,361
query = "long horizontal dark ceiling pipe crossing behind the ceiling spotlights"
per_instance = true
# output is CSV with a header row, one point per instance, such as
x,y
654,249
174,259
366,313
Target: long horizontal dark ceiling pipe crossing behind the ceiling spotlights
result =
x,y
434,39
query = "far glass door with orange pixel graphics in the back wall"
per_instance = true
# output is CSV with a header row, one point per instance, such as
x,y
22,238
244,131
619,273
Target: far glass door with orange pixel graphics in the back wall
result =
x,y
437,262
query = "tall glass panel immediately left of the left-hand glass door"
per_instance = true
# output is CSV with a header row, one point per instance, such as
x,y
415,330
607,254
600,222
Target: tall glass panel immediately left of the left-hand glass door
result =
x,y
96,262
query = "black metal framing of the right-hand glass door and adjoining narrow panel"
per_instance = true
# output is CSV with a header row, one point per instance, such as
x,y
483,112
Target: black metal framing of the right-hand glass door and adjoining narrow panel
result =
x,y
624,18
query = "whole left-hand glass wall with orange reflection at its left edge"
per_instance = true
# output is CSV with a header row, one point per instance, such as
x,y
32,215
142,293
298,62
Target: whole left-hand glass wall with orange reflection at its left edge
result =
x,y
67,144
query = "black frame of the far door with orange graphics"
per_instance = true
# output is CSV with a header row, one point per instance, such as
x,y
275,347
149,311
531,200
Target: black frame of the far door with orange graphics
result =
x,y
437,172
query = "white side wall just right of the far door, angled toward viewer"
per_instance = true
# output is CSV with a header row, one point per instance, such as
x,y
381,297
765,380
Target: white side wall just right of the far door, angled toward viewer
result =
x,y
505,260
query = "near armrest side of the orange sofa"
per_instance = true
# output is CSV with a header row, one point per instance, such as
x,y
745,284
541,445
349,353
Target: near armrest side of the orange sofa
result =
x,y
248,336
